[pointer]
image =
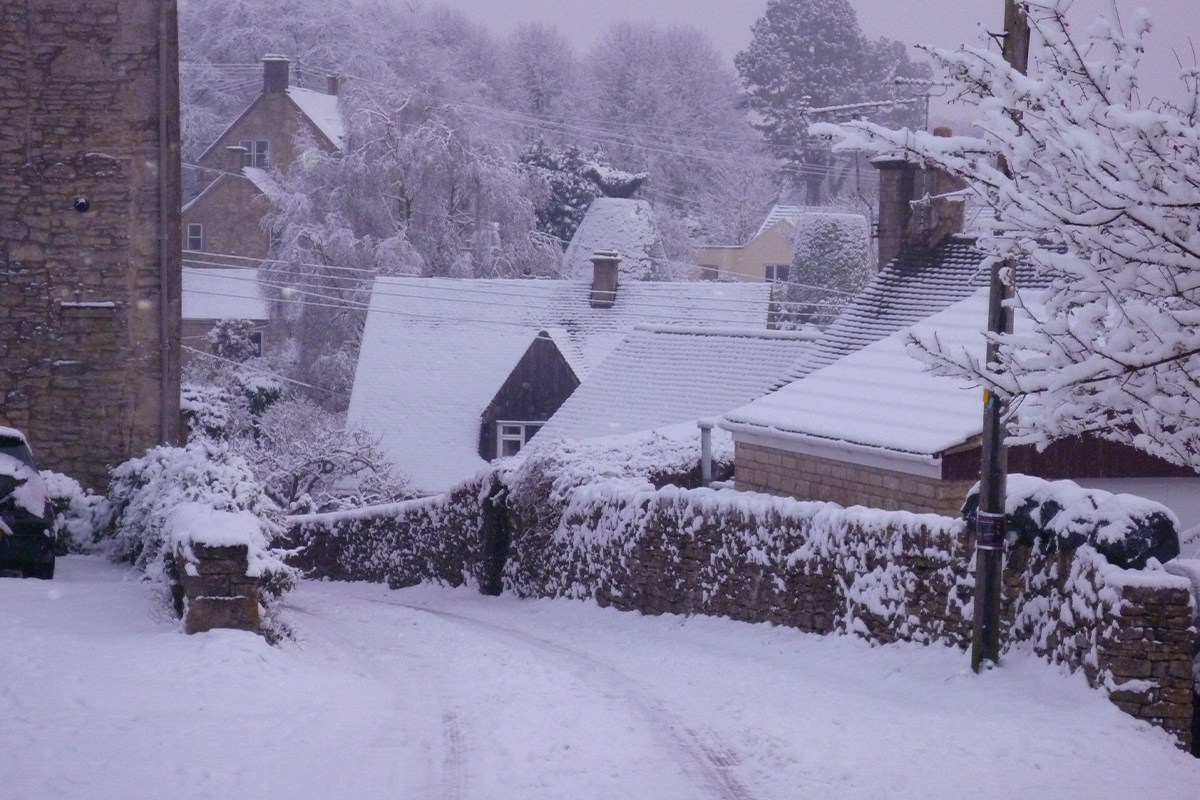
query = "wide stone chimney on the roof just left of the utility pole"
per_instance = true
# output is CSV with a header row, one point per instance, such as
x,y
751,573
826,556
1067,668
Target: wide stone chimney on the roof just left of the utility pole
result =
x,y
908,220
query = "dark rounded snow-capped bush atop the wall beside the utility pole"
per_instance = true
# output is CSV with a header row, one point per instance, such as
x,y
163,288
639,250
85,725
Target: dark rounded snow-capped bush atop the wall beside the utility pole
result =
x,y
1126,530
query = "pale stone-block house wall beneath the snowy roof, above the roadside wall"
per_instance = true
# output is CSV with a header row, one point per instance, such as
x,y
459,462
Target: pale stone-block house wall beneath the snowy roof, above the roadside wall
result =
x,y
808,478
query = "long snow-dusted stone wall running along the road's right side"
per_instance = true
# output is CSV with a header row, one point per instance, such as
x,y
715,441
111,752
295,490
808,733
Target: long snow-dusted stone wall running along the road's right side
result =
x,y
561,528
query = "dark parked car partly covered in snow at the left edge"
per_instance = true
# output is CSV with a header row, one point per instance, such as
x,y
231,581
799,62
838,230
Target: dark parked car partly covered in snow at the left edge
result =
x,y
27,530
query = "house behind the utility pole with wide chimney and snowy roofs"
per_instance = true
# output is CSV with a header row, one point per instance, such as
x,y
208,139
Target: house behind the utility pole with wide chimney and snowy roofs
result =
x,y
860,422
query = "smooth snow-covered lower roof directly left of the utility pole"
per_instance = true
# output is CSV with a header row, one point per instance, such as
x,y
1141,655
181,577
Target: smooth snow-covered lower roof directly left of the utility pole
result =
x,y
881,398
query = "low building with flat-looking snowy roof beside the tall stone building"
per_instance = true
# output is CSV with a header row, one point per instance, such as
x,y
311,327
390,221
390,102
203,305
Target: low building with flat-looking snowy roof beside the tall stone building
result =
x,y
218,294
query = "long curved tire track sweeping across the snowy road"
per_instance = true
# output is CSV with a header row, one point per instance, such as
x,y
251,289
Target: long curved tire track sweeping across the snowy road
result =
x,y
701,755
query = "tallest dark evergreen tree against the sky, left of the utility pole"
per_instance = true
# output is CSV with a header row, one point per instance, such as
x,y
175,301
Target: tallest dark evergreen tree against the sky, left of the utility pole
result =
x,y
812,55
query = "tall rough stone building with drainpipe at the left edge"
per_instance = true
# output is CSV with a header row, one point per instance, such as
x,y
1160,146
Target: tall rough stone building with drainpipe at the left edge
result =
x,y
89,225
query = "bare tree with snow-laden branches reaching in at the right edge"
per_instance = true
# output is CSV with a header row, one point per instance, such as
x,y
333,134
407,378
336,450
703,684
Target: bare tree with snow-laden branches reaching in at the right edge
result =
x,y
1102,195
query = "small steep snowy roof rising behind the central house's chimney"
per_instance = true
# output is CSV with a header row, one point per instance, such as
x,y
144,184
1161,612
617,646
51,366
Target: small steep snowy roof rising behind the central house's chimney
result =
x,y
626,226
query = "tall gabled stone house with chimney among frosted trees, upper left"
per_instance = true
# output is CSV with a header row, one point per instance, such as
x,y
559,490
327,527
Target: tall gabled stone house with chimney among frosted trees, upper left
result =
x,y
226,218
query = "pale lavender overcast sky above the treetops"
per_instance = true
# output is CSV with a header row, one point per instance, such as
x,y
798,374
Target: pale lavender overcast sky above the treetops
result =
x,y
943,23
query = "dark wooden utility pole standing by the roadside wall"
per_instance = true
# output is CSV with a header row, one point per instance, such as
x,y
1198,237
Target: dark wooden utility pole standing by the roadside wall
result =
x,y
991,515
